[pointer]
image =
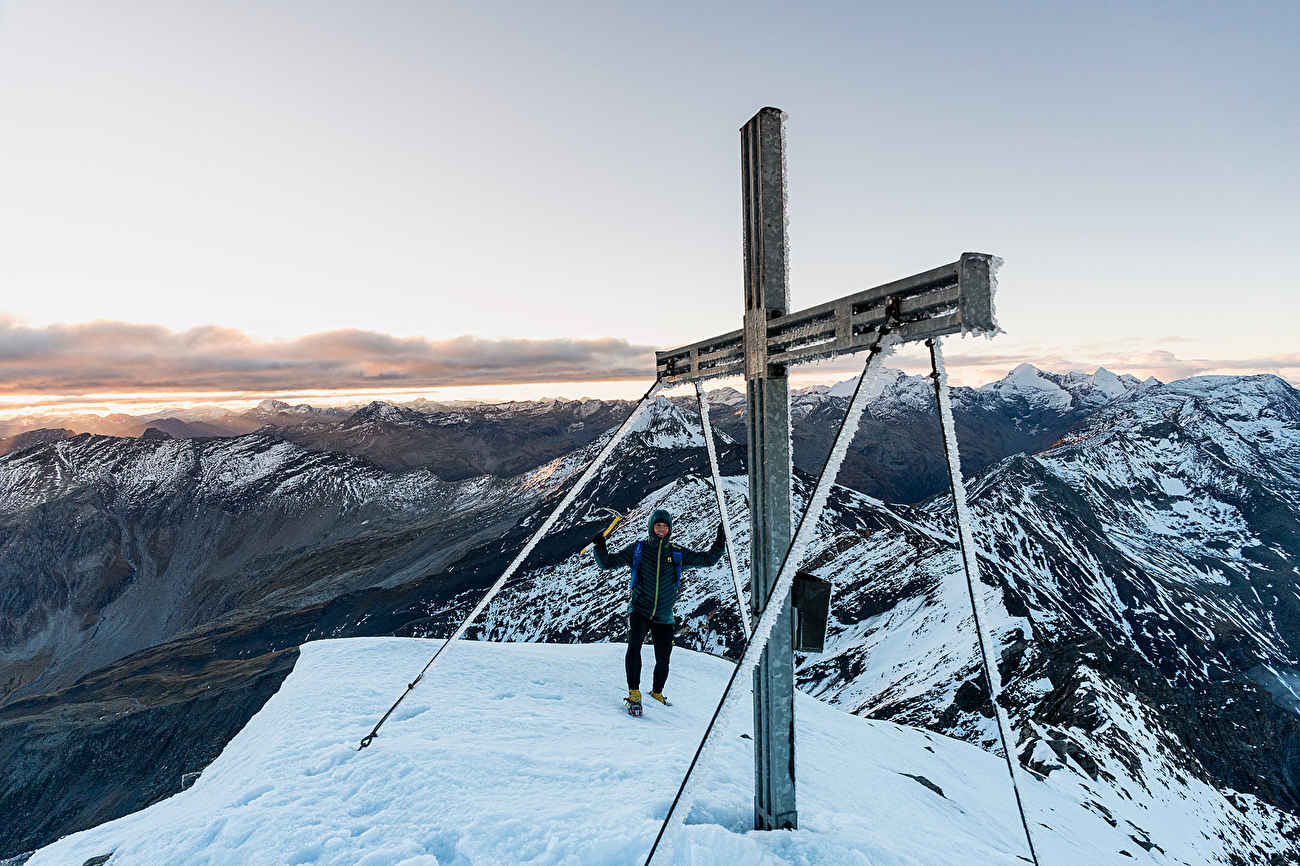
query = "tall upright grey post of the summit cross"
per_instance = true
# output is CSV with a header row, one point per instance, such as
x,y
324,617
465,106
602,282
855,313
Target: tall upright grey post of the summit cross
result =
x,y
769,405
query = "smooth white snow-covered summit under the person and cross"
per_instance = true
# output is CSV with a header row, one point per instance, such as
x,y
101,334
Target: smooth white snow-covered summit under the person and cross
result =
x,y
519,754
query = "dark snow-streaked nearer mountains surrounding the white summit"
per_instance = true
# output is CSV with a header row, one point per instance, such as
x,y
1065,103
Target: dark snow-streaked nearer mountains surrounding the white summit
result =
x,y
1141,575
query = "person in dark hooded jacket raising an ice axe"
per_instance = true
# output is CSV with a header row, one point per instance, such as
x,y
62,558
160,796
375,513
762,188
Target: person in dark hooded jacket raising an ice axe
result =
x,y
657,565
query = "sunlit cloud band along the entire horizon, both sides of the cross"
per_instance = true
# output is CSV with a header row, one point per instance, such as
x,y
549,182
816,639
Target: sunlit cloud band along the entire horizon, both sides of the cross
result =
x,y
40,365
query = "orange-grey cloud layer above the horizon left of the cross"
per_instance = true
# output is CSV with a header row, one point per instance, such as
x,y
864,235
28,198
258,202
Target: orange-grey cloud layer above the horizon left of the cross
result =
x,y
114,357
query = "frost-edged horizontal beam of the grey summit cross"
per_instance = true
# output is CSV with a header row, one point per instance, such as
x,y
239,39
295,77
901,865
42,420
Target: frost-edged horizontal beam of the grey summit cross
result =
x,y
946,301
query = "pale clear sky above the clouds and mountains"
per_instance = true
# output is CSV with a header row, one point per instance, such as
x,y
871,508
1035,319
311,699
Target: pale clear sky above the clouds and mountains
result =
x,y
521,170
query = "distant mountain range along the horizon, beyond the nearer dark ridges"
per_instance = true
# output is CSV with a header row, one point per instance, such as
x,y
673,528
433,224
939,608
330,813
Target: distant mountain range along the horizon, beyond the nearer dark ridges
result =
x,y
896,457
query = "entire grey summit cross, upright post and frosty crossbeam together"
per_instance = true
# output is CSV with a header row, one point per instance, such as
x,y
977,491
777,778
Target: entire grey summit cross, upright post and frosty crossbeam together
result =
x,y
948,300
